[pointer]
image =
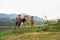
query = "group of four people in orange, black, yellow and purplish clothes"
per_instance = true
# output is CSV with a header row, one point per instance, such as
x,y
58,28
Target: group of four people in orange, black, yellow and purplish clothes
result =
x,y
26,20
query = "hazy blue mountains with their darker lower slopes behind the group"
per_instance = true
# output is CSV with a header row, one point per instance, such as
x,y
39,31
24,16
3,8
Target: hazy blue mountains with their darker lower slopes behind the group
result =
x,y
12,17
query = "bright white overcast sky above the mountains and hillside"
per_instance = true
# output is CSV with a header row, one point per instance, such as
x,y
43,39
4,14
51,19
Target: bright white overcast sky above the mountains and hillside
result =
x,y
40,8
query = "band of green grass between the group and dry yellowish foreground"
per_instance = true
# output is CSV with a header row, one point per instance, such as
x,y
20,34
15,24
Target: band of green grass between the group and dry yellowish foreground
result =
x,y
29,29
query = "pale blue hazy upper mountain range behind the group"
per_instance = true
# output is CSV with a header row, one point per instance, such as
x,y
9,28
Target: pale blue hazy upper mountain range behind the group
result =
x,y
13,16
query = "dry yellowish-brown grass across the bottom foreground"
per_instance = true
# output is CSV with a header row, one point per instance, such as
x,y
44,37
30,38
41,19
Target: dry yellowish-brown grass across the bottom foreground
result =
x,y
36,36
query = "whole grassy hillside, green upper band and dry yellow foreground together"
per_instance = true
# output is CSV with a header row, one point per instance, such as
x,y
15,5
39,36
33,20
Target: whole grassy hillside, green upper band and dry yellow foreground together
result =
x,y
46,32
